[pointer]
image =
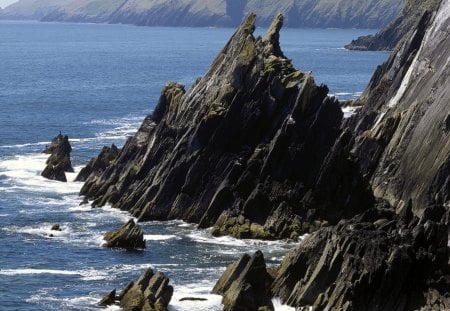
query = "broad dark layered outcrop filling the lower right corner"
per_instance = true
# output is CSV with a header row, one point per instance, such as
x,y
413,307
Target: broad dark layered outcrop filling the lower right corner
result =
x,y
375,261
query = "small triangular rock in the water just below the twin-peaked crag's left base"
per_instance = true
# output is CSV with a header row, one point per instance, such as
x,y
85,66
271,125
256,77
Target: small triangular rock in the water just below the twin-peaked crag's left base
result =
x,y
129,236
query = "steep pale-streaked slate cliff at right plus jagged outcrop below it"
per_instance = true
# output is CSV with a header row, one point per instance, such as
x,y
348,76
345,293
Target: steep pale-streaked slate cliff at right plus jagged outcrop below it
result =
x,y
394,255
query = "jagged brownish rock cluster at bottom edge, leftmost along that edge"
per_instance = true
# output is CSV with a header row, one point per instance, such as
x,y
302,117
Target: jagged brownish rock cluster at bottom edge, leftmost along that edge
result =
x,y
151,292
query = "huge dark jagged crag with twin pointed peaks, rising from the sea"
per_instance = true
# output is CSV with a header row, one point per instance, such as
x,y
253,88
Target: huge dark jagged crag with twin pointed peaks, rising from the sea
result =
x,y
241,150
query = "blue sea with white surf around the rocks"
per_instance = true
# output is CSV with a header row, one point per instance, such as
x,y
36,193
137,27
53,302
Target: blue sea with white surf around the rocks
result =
x,y
96,83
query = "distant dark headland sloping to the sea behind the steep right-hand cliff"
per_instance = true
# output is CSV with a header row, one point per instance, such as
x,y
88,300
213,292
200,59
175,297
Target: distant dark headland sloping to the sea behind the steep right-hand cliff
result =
x,y
390,36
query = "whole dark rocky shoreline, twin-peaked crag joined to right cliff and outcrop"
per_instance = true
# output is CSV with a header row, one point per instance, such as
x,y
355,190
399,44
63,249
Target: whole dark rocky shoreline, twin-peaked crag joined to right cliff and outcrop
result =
x,y
257,150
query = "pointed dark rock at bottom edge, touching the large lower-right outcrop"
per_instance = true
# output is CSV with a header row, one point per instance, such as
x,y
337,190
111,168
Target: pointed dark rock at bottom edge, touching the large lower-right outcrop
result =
x,y
245,285
